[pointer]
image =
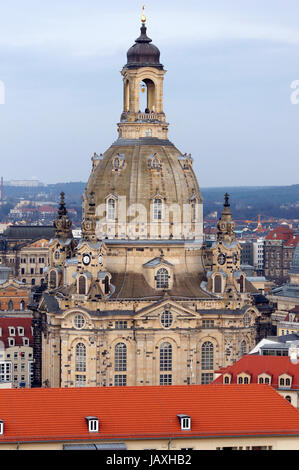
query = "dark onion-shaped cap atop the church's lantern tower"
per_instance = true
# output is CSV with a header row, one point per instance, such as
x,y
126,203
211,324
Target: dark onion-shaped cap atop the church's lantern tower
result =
x,y
143,53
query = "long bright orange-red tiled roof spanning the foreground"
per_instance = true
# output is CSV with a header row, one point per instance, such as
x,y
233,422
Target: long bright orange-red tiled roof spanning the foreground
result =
x,y
145,412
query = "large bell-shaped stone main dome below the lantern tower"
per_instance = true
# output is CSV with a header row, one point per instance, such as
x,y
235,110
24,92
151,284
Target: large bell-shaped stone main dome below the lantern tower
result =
x,y
135,174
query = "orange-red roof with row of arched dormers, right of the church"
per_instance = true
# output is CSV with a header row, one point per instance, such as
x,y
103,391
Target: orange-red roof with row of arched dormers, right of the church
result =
x,y
254,365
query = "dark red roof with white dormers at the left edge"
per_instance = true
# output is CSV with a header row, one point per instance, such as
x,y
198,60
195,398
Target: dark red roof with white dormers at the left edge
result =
x,y
23,322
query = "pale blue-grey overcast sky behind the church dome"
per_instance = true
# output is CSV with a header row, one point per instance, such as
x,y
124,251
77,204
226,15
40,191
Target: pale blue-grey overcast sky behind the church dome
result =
x,y
230,65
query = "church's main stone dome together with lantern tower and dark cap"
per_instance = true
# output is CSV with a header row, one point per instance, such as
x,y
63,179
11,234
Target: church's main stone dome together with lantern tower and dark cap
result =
x,y
143,186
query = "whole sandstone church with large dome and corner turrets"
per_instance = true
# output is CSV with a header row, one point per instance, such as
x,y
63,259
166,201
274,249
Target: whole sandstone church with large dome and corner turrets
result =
x,y
142,299
